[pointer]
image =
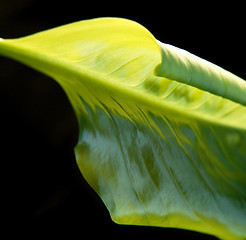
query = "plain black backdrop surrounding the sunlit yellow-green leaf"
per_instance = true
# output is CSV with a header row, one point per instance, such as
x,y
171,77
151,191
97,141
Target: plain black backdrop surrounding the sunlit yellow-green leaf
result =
x,y
42,190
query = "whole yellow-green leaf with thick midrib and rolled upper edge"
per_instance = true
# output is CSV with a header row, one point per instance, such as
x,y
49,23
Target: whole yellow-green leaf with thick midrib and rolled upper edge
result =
x,y
162,132
